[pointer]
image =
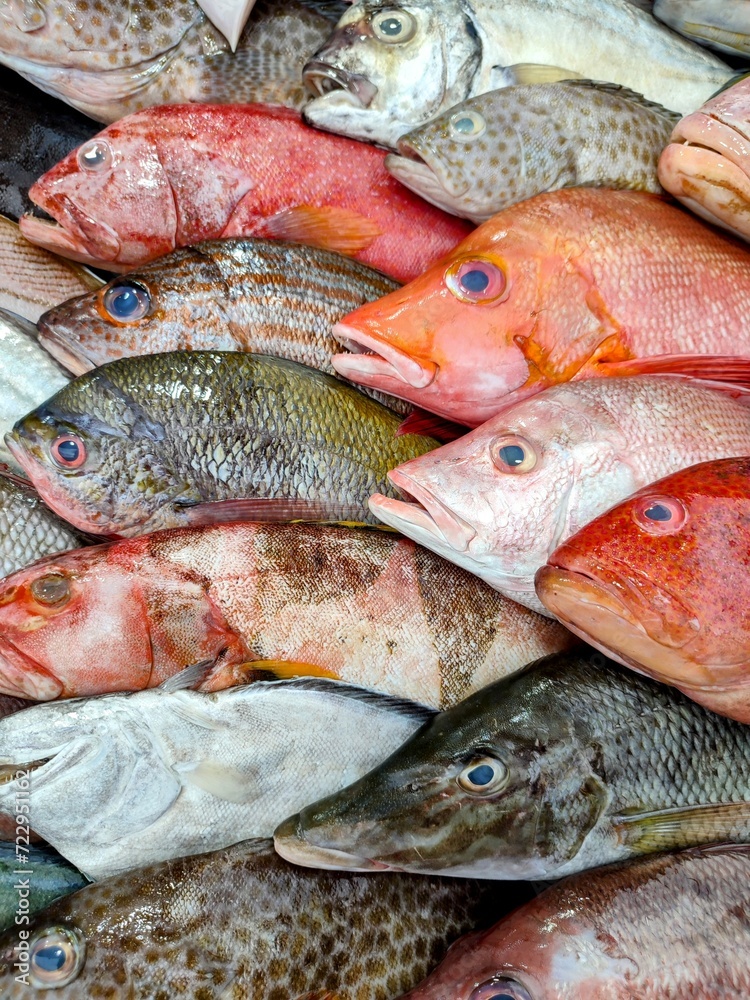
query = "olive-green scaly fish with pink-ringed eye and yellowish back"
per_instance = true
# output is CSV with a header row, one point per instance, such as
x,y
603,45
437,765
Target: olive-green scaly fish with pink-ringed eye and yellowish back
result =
x,y
147,443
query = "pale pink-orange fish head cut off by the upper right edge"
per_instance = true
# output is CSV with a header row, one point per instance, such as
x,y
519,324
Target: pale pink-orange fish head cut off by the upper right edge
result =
x,y
706,165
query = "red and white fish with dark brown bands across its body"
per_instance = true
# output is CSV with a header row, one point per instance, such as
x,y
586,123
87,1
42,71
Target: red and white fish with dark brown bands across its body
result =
x,y
363,605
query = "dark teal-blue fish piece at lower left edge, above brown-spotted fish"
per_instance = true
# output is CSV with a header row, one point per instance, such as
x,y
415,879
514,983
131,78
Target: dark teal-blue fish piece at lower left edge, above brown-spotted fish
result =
x,y
43,876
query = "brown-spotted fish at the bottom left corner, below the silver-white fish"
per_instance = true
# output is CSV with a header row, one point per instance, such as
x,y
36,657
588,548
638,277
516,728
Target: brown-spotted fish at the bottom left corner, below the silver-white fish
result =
x,y
242,924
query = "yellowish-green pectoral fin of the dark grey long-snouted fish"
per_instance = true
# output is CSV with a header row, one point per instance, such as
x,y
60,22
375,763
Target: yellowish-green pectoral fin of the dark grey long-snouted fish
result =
x,y
668,828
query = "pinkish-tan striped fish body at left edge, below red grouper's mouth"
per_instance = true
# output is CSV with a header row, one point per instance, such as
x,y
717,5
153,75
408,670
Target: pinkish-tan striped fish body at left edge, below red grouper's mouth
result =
x,y
33,280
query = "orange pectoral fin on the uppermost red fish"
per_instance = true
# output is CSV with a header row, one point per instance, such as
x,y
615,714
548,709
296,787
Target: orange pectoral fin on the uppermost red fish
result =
x,y
328,227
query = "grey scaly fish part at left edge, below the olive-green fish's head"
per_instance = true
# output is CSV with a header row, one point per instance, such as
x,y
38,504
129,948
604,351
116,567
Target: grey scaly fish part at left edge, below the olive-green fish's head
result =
x,y
29,530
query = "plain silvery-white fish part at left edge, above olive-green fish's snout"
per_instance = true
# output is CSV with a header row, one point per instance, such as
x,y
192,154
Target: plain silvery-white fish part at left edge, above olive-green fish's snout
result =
x,y
28,375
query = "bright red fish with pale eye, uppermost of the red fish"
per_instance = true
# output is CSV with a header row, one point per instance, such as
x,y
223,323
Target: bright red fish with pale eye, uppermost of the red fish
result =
x,y
172,176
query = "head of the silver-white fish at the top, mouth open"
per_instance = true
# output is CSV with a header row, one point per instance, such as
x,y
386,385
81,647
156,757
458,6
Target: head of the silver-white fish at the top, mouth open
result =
x,y
388,67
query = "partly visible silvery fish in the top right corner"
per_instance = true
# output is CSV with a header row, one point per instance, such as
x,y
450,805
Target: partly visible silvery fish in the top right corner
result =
x,y
720,24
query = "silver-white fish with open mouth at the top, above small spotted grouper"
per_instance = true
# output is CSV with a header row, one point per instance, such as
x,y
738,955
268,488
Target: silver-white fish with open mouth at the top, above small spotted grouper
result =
x,y
387,69
